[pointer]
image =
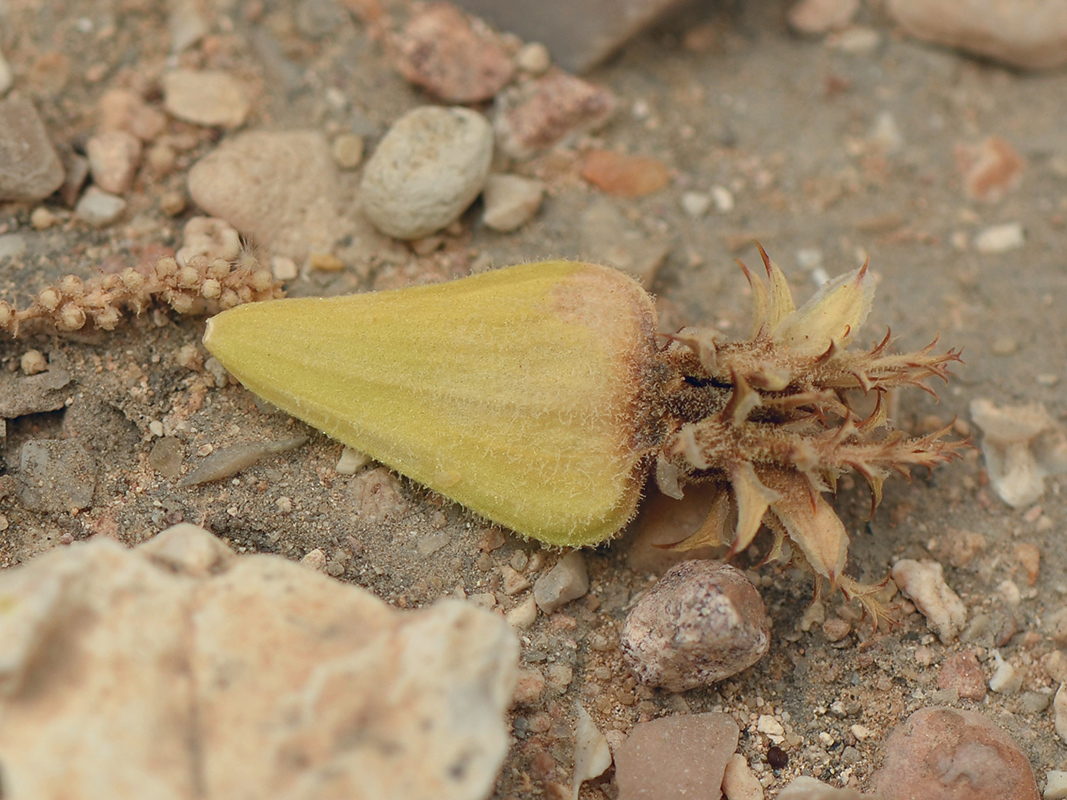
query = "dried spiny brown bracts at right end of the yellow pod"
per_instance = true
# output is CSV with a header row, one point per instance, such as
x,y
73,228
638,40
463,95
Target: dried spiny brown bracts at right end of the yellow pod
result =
x,y
773,422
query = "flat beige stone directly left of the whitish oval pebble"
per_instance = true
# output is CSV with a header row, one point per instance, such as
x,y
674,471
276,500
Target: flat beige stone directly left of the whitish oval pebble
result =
x,y
295,209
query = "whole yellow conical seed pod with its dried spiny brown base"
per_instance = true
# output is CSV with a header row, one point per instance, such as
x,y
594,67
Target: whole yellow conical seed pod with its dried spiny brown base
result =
x,y
540,397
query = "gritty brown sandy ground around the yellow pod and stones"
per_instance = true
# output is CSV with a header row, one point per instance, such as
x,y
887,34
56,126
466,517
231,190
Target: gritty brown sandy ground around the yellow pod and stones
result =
x,y
846,154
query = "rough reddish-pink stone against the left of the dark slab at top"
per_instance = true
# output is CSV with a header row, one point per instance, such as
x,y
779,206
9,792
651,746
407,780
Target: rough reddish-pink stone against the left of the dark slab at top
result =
x,y
442,53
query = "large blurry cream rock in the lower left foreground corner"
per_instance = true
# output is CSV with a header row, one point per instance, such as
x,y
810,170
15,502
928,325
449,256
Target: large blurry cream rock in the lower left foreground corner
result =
x,y
179,670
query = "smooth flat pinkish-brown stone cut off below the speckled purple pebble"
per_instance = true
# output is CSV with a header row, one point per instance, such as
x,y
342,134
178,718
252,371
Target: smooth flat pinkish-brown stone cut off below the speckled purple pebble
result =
x,y
676,758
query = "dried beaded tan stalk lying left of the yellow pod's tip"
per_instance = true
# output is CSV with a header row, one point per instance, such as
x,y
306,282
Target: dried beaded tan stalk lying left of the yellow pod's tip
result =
x,y
200,286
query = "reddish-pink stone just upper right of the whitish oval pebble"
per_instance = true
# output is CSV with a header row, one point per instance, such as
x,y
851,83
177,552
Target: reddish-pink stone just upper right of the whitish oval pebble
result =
x,y
547,111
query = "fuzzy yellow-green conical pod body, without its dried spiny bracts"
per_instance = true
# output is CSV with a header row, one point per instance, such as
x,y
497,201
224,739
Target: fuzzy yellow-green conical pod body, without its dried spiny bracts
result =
x,y
519,393
